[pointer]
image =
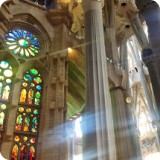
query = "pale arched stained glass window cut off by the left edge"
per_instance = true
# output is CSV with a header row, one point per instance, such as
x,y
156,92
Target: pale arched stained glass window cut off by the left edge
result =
x,y
6,76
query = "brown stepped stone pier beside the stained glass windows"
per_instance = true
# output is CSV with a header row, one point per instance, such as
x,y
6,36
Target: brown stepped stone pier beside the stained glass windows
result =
x,y
54,143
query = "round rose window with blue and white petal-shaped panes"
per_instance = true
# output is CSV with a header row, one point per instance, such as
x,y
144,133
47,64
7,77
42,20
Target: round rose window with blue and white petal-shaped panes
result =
x,y
22,43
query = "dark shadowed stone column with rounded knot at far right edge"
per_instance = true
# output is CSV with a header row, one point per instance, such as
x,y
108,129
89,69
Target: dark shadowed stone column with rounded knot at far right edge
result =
x,y
151,57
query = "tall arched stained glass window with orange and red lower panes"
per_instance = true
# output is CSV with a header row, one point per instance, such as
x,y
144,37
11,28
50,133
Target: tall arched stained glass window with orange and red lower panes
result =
x,y
27,119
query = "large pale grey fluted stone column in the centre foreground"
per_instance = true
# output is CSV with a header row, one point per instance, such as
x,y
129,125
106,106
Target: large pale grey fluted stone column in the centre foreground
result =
x,y
99,130
